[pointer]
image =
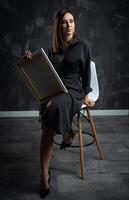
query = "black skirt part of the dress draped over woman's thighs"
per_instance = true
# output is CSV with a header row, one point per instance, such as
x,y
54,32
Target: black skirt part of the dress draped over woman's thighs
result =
x,y
59,115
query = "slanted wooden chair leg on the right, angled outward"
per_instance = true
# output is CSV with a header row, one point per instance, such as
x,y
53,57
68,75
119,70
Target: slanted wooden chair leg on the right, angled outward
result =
x,y
95,134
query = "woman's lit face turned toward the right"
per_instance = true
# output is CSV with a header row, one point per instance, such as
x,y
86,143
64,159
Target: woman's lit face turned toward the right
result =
x,y
68,25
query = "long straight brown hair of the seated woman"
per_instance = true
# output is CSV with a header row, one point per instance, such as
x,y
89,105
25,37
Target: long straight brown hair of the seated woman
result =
x,y
57,39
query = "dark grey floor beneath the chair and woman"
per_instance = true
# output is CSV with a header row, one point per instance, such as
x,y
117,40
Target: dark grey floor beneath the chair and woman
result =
x,y
106,179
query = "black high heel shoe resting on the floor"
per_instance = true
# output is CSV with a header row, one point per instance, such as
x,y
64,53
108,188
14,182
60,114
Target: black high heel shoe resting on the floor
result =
x,y
44,192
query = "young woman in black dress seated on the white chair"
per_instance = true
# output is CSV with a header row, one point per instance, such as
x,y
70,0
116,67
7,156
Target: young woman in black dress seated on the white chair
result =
x,y
71,58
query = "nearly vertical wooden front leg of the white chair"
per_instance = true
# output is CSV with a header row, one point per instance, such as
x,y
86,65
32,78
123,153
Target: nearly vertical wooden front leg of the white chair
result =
x,y
81,145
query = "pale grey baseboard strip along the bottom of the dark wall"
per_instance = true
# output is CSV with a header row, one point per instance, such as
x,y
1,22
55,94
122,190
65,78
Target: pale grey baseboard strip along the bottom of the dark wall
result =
x,y
34,113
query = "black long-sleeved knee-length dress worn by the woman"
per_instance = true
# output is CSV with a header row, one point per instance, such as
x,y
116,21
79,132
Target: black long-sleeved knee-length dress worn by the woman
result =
x,y
73,67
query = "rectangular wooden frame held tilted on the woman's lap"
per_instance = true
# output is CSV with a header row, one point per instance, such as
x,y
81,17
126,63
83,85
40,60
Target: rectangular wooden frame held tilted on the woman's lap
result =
x,y
41,76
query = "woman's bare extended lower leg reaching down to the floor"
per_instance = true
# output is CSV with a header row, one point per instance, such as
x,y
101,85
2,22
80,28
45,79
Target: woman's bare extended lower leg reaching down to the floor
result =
x,y
46,148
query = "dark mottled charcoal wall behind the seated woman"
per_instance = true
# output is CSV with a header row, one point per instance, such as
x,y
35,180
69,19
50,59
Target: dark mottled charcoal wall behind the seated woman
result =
x,y
104,23
